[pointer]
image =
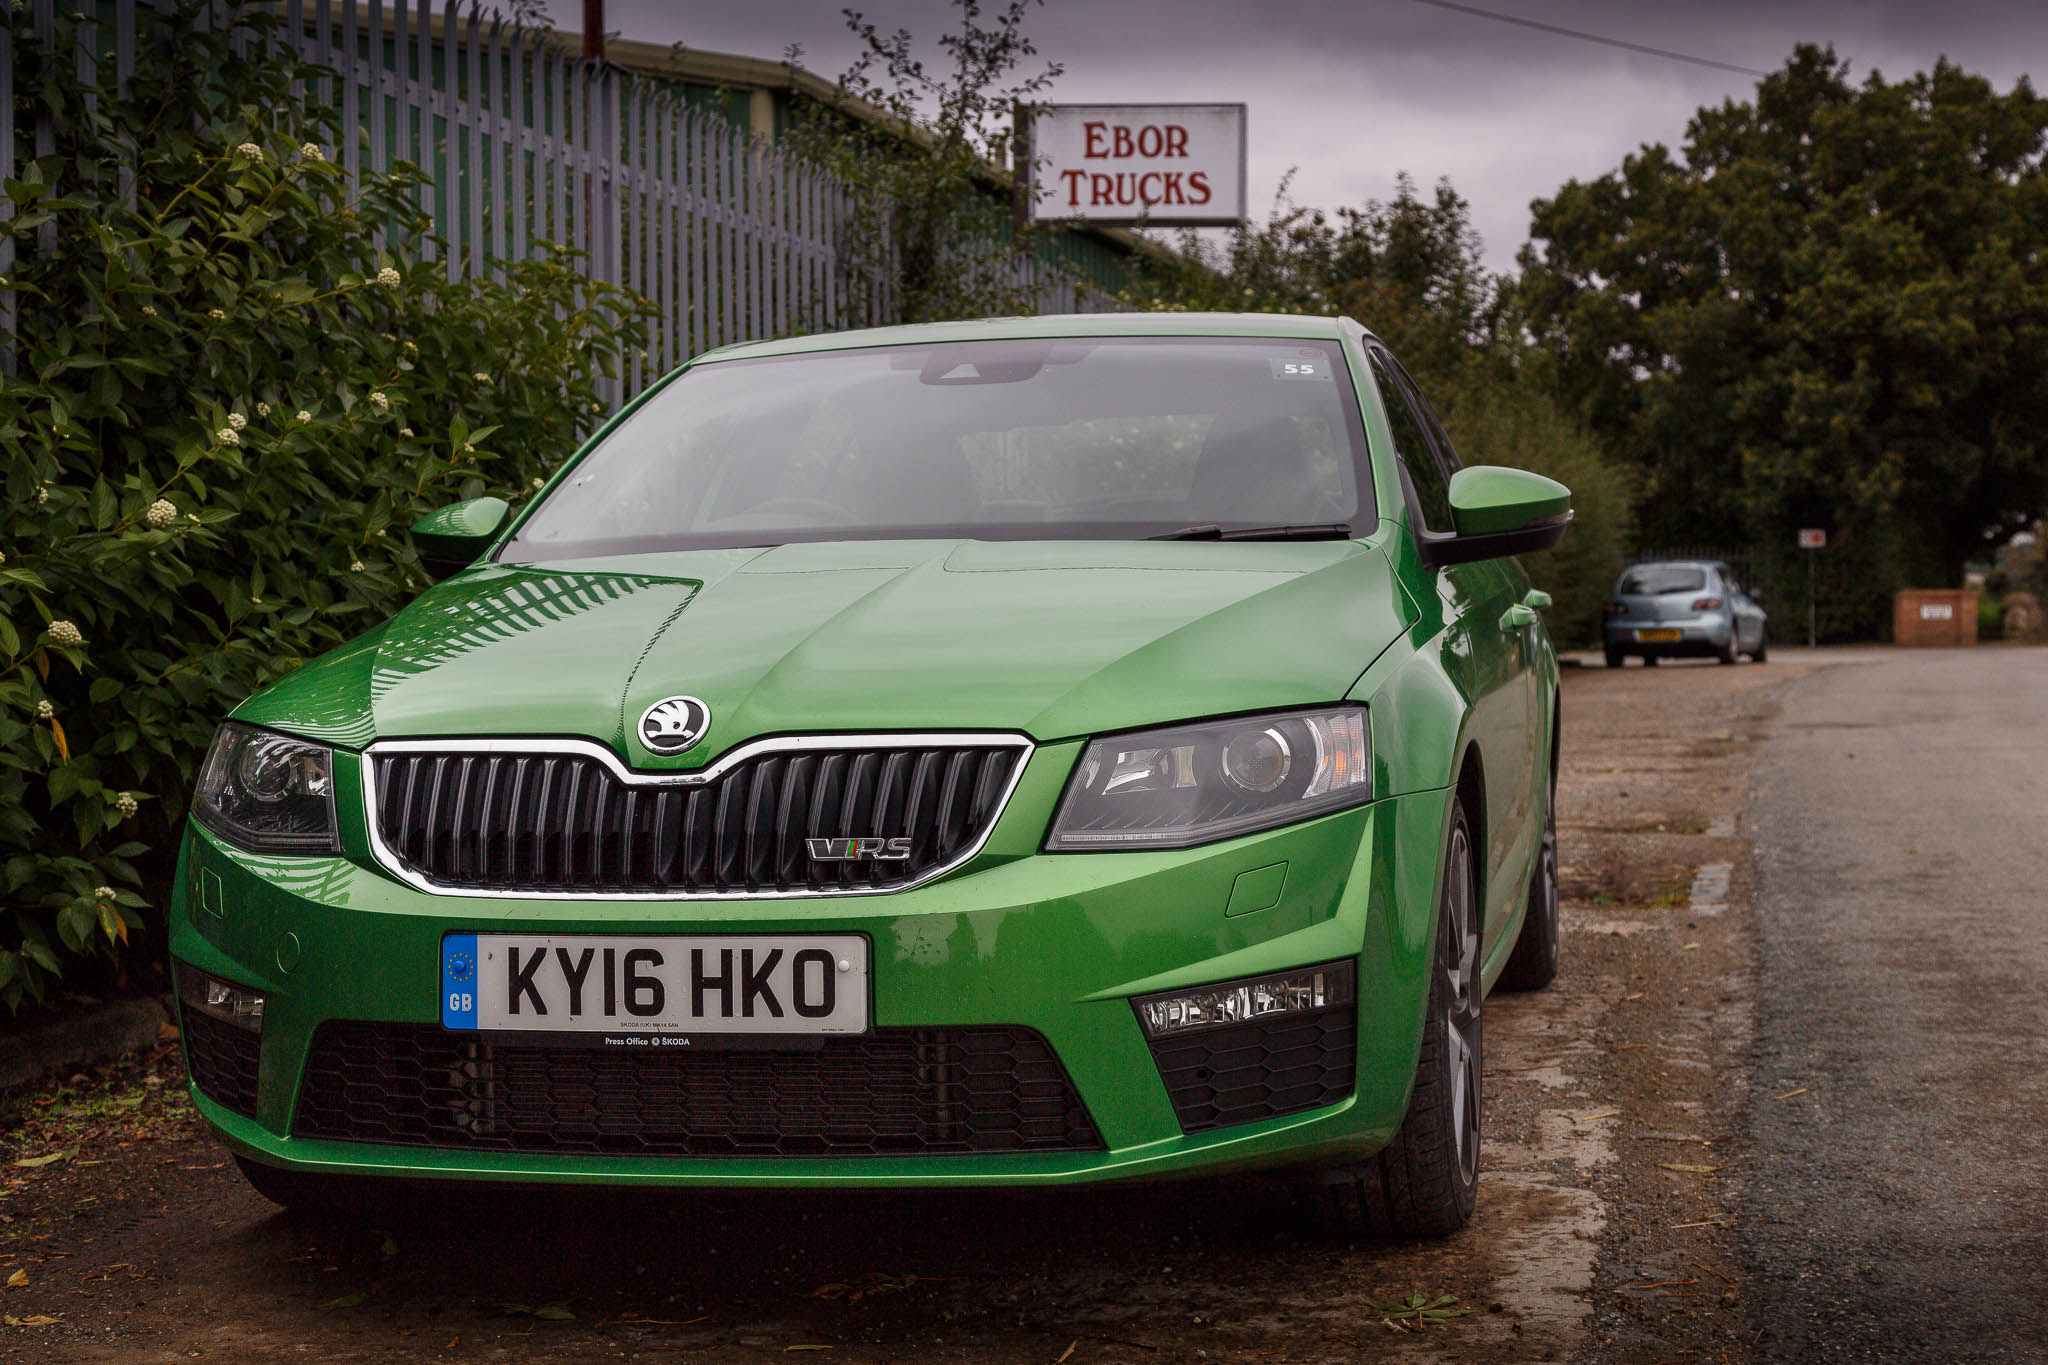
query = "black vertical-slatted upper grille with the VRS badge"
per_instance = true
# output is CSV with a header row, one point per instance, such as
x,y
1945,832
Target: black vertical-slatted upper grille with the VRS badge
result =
x,y
568,824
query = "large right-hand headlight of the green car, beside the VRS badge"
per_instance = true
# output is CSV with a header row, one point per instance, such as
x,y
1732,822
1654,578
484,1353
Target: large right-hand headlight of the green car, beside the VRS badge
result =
x,y
1213,781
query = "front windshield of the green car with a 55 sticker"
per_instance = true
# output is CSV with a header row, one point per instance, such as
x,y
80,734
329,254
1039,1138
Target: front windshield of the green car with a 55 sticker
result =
x,y
1005,439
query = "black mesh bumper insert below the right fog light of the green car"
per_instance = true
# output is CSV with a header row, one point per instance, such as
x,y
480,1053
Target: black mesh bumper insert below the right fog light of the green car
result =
x,y
1258,1071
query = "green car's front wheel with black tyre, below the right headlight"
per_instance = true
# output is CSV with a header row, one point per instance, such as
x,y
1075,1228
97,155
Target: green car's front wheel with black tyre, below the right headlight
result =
x,y
1426,1180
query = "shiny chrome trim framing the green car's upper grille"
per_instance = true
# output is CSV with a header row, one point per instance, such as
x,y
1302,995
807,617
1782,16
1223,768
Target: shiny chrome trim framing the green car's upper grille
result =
x,y
769,748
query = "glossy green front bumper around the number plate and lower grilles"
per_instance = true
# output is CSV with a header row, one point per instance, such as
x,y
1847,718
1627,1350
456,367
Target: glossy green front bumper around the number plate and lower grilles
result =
x,y
1017,938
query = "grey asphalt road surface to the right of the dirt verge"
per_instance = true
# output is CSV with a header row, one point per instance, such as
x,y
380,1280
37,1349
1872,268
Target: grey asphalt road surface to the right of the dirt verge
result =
x,y
1900,1202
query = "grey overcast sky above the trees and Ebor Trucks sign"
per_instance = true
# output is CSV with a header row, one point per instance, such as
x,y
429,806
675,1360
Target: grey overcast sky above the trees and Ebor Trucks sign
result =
x,y
1355,91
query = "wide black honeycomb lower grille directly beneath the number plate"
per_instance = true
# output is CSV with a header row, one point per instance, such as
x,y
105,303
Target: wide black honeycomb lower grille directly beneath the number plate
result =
x,y
888,1094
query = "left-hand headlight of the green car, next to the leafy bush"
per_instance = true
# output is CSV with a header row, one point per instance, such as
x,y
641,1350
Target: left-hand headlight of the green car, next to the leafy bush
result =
x,y
267,793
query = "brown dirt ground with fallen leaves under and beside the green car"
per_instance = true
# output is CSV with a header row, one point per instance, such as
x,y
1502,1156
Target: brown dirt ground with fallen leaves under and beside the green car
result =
x,y
1605,1233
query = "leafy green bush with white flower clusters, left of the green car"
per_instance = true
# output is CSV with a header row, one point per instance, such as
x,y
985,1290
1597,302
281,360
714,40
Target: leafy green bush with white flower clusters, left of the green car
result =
x,y
226,398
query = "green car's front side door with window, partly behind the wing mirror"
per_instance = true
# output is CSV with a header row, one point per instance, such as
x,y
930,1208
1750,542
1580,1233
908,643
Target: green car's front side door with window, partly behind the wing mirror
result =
x,y
1490,656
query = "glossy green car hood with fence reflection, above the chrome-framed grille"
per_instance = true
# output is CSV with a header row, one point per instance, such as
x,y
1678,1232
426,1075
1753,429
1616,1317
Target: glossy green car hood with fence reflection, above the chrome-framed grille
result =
x,y
1052,640
